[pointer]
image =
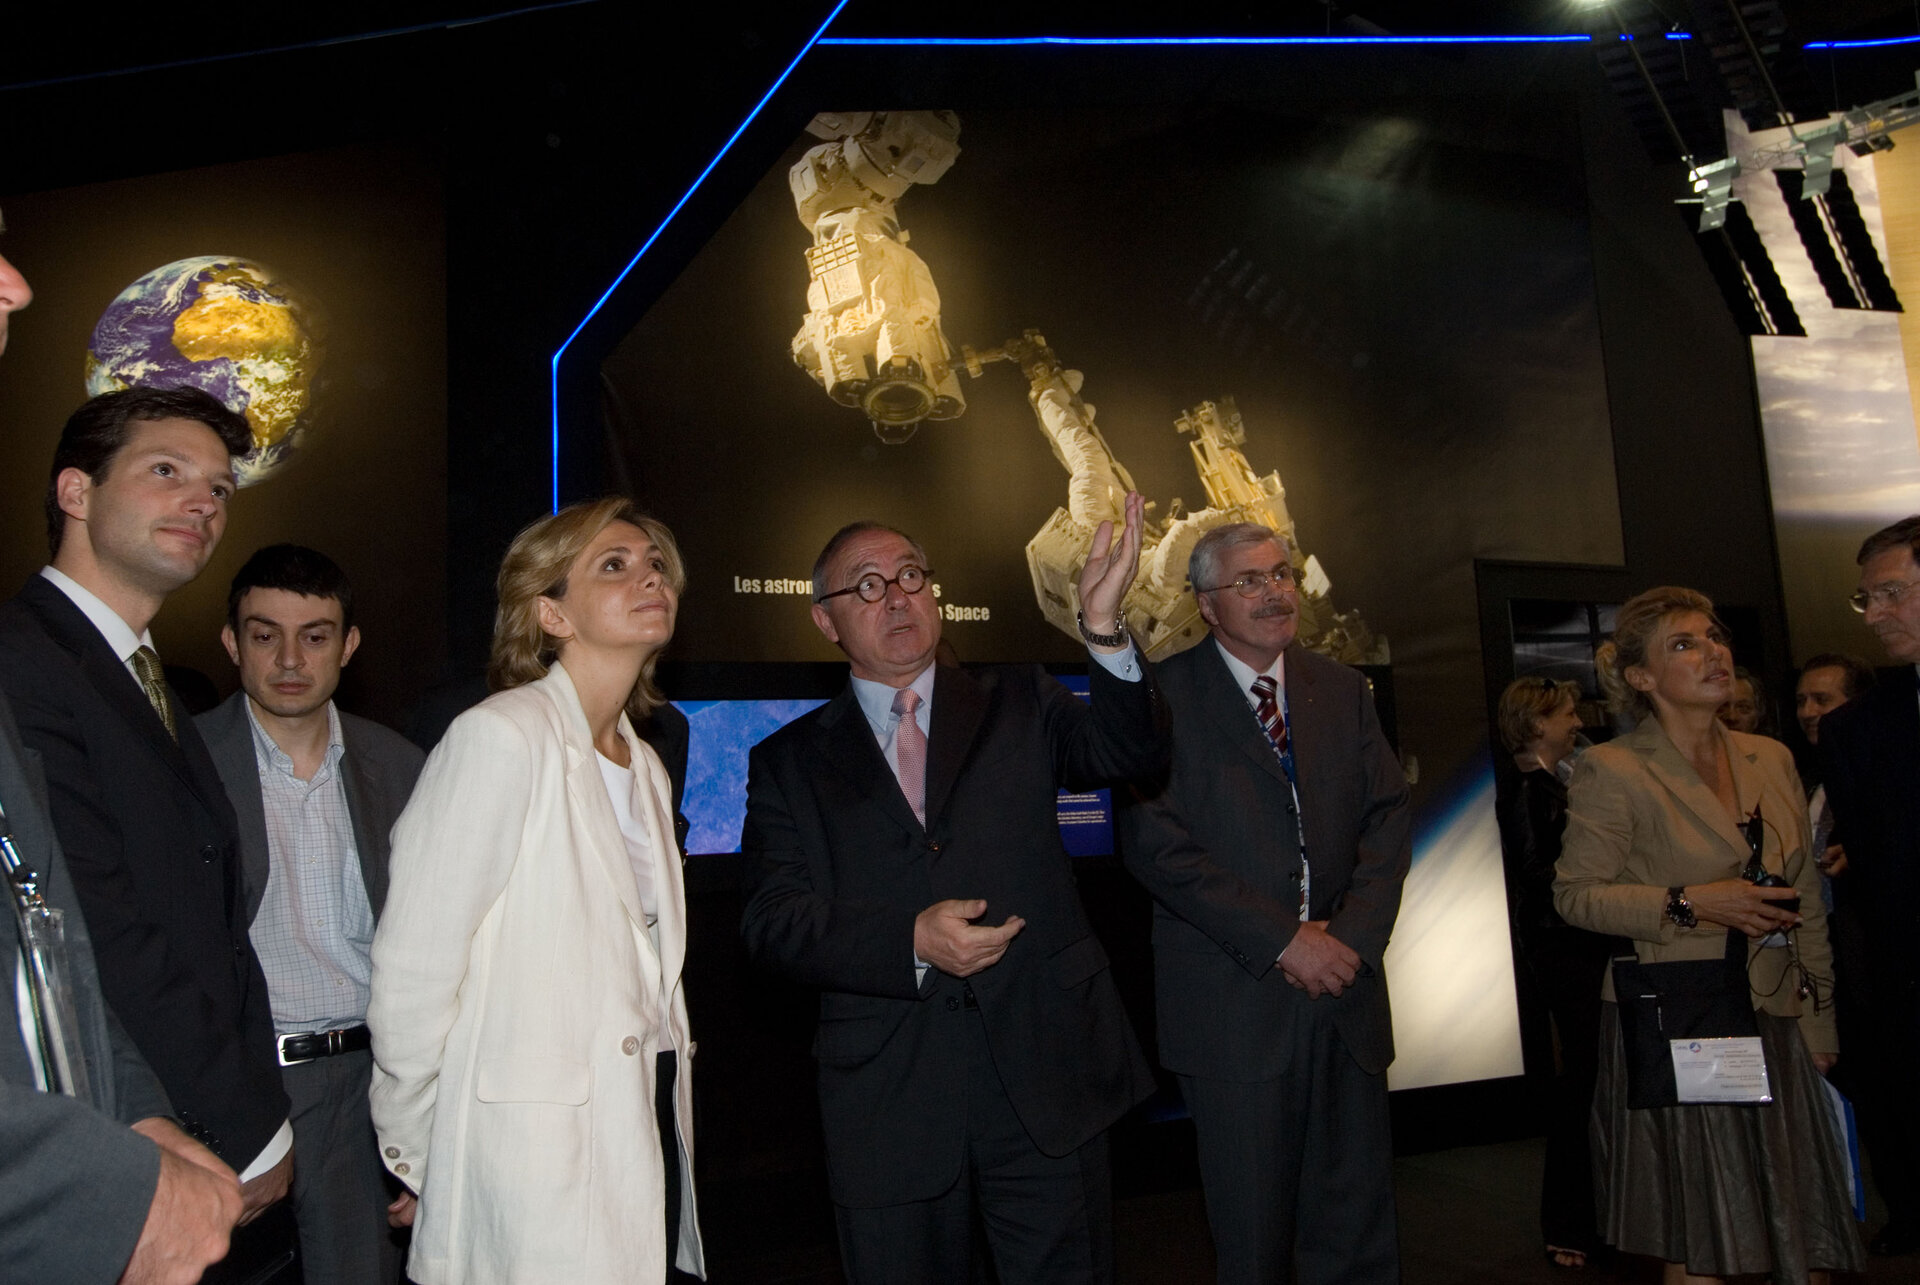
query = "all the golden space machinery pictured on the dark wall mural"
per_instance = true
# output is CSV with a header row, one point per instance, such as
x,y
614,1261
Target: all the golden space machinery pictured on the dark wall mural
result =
x,y
873,339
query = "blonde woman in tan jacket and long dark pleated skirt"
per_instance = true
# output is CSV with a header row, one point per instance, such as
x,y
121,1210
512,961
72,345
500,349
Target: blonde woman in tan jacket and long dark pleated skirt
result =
x,y
1654,854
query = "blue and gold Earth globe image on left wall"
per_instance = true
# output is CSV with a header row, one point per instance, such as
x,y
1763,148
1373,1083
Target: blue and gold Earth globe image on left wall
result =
x,y
229,327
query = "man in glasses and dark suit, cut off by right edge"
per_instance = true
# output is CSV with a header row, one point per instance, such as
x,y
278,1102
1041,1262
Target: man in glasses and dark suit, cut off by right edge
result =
x,y
1871,764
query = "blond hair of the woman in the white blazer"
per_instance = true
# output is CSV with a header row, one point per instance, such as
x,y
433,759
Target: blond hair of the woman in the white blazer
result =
x,y
537,568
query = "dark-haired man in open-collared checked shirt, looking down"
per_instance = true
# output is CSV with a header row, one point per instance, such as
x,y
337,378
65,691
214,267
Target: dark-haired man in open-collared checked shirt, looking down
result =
x,y
316,790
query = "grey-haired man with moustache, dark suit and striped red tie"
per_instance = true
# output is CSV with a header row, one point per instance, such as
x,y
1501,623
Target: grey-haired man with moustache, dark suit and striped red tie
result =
x,y
1276,850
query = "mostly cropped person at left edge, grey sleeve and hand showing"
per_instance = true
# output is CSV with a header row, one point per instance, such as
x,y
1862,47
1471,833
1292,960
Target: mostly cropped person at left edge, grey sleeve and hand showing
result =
x,y
101,1186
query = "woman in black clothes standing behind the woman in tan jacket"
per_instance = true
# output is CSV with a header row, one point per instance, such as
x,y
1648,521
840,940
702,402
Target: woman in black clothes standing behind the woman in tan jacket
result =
x,y
1560,967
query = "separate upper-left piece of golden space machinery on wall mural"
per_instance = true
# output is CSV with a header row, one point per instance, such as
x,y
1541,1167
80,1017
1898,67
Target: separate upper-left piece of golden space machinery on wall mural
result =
x,y
873,333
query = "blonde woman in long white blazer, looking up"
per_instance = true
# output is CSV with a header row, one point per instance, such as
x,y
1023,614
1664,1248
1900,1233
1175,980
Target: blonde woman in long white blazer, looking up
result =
x,y
529,1023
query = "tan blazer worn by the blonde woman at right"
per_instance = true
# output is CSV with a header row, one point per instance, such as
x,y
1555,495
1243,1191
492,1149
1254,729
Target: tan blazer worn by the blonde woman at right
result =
x,y
1643,821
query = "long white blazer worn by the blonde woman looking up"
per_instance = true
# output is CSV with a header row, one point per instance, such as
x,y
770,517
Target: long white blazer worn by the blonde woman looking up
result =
x,y
519,1004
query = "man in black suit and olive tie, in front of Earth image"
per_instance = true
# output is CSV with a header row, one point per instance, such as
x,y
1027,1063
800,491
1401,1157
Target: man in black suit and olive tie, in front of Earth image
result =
x,y
137,502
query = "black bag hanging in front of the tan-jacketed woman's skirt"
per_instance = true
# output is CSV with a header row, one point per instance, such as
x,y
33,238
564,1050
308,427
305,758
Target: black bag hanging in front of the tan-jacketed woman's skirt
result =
x,y
1679,1000
